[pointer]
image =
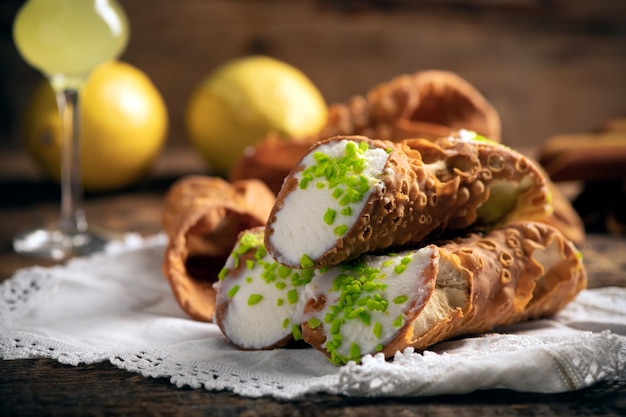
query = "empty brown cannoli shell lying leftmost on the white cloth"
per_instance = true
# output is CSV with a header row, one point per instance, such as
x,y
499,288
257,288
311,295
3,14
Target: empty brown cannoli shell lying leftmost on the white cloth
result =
x,y
202,217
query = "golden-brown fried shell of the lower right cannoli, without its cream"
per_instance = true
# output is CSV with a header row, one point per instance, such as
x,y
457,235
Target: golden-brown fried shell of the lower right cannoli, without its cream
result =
x,y
524,271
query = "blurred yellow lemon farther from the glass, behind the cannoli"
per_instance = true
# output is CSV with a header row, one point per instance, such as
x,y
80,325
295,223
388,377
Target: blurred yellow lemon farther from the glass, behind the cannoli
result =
x,y
244,100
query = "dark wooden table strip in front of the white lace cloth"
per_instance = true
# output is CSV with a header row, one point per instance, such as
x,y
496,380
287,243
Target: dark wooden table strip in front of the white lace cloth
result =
x,y
45,387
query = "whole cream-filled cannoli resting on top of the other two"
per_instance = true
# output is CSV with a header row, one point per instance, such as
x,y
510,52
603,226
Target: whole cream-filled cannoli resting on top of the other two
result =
x,y
353,195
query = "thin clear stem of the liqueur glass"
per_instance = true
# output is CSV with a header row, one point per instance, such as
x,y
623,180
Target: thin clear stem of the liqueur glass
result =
x,y
72,219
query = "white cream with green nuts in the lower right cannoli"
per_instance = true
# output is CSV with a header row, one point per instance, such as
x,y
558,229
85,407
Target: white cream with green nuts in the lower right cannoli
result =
x,y
399,282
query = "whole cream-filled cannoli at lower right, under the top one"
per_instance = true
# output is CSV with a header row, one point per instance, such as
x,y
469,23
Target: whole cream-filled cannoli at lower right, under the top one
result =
x,y
417,298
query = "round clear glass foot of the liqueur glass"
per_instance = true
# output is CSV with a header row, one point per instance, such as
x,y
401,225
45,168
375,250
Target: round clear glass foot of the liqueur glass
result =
x,y
52,243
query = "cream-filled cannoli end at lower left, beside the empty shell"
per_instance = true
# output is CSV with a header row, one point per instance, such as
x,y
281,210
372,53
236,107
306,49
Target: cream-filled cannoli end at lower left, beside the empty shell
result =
x,y
259,303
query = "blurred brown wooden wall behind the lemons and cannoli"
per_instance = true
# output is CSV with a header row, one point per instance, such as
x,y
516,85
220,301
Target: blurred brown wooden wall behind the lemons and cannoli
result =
x,y
548,66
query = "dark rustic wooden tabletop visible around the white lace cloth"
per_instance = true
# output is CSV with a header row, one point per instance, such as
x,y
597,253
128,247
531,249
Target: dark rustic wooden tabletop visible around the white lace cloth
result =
x,y
45,387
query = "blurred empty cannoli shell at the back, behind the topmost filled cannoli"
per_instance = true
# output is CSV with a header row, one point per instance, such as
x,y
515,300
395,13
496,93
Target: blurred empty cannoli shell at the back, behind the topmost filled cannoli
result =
x,y
427,104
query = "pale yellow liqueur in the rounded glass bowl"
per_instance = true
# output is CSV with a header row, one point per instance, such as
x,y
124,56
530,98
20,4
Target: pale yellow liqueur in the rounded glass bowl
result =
x,y
66,39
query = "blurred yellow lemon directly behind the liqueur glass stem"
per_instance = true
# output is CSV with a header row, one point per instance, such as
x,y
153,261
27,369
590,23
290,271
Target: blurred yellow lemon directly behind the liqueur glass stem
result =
x,y
123,122
